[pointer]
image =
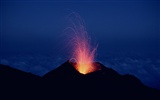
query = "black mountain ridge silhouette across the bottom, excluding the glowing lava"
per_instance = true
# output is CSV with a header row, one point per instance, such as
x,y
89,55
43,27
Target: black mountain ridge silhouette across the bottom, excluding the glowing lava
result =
x,y
65,82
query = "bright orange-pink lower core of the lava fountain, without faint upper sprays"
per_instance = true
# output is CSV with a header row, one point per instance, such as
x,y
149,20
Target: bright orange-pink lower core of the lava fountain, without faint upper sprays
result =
x,y
84,56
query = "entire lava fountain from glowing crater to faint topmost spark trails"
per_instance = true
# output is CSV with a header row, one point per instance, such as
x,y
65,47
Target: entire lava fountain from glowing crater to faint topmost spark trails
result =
x,y
83,54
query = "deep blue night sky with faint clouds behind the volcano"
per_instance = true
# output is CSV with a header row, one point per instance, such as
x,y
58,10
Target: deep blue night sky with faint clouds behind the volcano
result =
x,y
127,32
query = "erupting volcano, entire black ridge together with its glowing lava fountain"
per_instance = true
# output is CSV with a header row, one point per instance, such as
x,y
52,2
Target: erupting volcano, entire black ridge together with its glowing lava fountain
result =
x,y
80,77
